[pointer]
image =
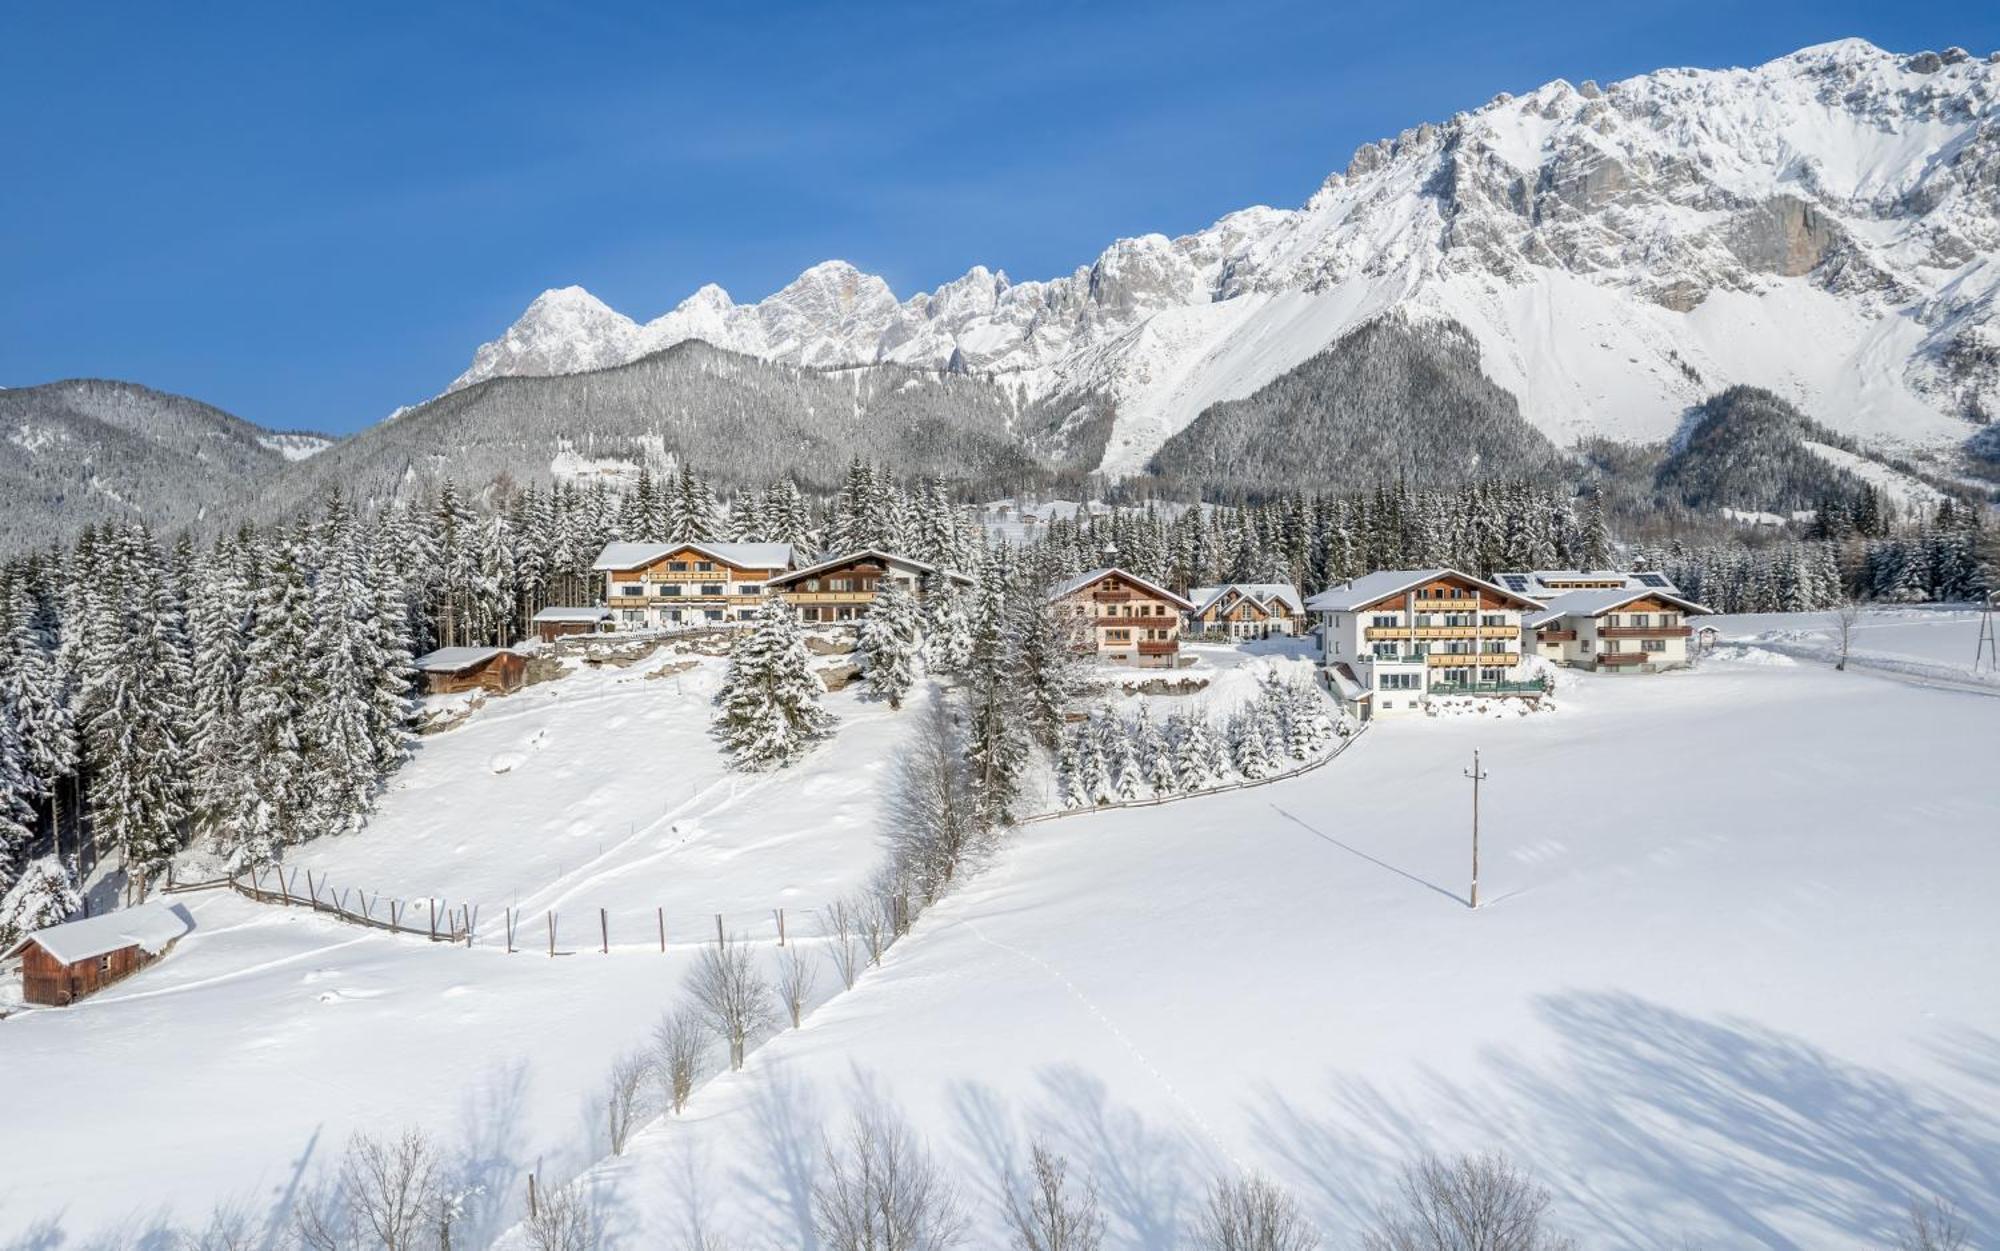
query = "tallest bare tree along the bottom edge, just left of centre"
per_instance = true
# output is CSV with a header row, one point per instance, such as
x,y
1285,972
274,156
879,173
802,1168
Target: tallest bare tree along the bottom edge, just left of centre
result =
x,y
881,1192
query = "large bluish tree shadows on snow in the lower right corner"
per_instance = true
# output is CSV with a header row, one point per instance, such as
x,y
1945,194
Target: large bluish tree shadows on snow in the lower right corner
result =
x,y
1653,1124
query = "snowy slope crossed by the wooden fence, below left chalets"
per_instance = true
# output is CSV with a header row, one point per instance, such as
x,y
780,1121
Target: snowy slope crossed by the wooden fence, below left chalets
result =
x,y
239,1066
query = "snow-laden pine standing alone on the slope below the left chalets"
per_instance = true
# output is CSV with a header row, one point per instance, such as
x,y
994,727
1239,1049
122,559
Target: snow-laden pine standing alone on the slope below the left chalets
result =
x,y
769,708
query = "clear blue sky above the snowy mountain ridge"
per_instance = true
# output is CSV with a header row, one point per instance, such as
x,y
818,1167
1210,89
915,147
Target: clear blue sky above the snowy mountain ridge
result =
x,y
311,215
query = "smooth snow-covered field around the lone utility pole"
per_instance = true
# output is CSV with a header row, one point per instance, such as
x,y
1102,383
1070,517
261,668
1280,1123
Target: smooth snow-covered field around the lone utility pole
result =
x,y
1733,982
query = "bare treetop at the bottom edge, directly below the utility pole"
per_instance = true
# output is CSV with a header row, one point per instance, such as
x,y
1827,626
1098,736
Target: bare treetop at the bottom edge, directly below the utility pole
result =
x,y
1469,1202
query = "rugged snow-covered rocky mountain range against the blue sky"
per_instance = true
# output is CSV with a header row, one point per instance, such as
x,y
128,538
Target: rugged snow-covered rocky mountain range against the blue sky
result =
x,y
1825,227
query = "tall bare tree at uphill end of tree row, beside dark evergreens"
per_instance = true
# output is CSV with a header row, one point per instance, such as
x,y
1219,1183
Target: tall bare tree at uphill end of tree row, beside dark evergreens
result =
x,y
935,824
